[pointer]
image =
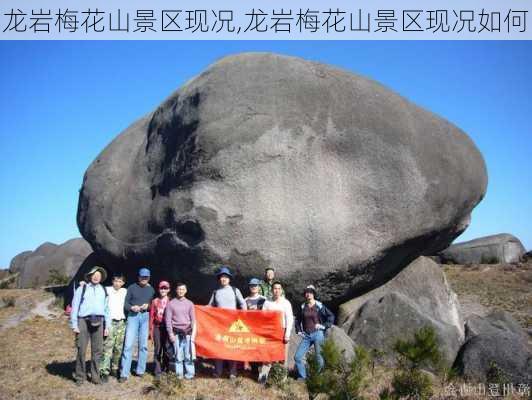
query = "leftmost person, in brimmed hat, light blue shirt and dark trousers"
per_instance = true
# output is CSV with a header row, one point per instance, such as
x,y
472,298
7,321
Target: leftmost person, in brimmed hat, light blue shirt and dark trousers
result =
x,y
90,320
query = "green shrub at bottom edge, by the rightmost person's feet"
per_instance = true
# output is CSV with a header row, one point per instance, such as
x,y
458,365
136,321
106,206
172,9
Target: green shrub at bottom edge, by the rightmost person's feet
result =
x,y
339,379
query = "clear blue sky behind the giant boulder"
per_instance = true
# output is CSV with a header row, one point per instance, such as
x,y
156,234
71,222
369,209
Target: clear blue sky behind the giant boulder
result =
x,y
62,102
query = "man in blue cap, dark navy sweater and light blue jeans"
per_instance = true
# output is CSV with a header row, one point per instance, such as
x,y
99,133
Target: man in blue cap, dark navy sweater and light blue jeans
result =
x,y
138,298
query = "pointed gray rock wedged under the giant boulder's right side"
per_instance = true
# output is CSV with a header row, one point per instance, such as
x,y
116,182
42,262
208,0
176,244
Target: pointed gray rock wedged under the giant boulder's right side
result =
x,y
418,296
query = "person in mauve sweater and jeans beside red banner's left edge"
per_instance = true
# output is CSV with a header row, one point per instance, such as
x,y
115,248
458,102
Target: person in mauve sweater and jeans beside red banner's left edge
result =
x,y
181,325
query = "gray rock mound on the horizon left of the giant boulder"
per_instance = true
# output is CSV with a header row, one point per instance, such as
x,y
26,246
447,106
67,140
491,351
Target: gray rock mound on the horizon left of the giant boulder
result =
x,y
34,267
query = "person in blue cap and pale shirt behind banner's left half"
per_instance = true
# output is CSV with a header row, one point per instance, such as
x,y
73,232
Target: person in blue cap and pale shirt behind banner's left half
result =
x,y
226,296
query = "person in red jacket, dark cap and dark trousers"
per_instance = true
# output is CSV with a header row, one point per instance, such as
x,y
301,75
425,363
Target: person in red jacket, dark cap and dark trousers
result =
x,y
158,332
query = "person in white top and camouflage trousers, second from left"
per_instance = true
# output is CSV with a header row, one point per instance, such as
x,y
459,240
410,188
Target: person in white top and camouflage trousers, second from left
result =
x,y
112,348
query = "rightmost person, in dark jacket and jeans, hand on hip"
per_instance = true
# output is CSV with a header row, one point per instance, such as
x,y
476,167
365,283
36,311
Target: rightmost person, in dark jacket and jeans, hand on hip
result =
x,y
312,320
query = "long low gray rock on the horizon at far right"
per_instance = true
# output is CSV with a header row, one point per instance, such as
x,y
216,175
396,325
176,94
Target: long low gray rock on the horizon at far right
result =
x,y
502,248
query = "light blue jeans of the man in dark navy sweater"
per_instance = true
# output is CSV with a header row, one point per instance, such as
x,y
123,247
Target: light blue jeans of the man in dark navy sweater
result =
x,y
136,327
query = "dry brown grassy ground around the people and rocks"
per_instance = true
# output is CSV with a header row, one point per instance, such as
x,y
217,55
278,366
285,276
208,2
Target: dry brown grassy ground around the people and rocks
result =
x,y
37,345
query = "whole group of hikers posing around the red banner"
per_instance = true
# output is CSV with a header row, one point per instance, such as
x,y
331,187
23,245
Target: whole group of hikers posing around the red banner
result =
x,y
114,319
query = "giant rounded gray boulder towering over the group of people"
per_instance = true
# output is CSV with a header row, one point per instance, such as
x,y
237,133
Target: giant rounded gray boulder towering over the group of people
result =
x,y
265,159
